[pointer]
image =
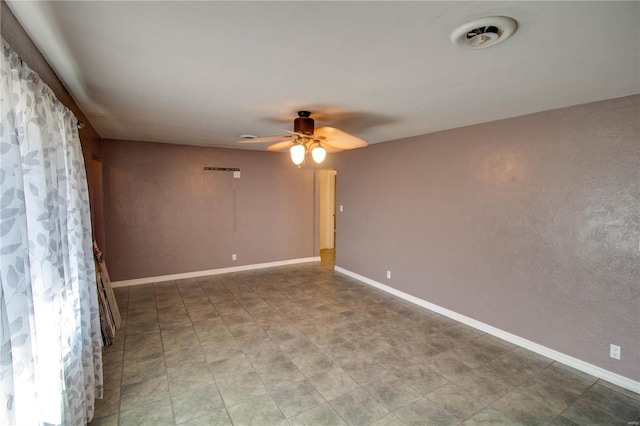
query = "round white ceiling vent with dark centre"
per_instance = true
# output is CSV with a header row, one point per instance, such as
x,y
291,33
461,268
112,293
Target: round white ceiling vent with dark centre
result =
x,y
484,32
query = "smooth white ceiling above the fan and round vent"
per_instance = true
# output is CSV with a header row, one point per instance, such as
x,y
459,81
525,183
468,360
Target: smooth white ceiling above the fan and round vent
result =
x,y
204,73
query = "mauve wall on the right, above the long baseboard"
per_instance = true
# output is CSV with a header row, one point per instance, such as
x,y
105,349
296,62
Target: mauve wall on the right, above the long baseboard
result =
x,y
529,224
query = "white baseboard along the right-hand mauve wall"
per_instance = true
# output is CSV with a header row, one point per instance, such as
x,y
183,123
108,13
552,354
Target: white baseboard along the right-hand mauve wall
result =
x,y
578,364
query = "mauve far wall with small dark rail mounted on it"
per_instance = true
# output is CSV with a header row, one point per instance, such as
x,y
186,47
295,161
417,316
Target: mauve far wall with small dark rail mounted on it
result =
x,y
165,215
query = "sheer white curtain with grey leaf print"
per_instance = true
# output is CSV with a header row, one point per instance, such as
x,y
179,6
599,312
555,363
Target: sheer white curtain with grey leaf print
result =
x,y
50,341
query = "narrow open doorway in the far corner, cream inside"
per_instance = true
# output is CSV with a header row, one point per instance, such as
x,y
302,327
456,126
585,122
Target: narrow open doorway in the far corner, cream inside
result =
x,y
327,214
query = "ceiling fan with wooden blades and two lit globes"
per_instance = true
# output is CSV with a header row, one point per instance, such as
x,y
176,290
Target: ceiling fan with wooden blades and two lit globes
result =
x,y
306,138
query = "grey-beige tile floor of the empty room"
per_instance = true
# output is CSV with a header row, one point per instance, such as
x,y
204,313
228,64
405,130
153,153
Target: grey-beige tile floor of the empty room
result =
x,y
303,345
